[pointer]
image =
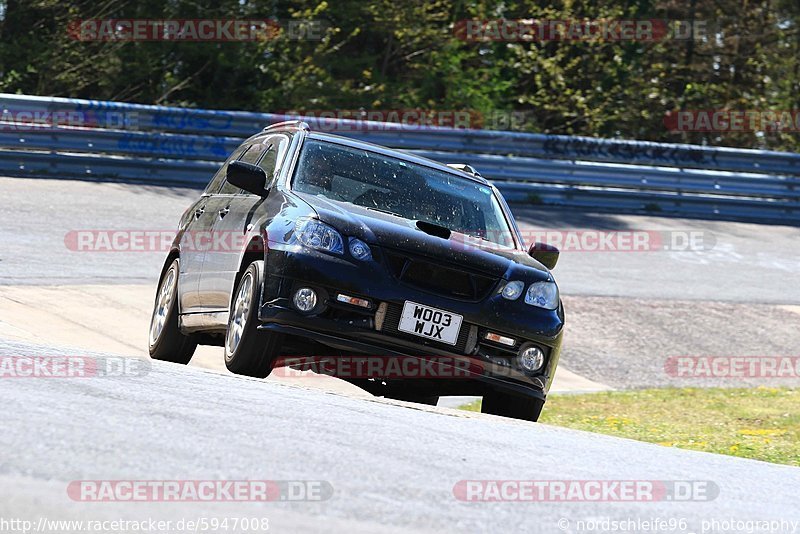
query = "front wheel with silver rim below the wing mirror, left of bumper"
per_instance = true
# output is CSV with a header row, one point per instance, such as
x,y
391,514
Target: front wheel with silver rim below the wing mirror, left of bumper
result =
x,y
248,350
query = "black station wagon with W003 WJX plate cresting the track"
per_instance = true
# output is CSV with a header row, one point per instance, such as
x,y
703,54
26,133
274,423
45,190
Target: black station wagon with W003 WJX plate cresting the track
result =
x,y
306,244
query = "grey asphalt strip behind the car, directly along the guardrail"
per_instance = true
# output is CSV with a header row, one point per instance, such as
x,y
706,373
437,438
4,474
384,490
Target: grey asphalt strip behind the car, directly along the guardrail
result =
x,y
739,262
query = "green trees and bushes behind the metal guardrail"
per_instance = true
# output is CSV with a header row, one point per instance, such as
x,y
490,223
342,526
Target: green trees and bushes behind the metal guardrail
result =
x,y
385,54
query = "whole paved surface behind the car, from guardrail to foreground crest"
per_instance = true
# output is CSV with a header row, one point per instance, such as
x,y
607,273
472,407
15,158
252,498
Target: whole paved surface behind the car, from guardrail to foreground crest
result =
x,y
627,312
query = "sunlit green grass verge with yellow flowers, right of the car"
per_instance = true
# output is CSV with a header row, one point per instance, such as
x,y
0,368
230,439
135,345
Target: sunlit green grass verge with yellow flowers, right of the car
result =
x,y
759,423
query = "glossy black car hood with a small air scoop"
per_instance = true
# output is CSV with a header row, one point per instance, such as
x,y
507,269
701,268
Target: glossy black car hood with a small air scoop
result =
x,y
390,232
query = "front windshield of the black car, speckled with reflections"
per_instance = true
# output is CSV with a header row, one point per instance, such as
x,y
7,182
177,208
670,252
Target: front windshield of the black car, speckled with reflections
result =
x,y
402,188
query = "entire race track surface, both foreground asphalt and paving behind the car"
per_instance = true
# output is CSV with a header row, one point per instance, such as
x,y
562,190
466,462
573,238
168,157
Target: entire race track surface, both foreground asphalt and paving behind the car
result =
x,y
392,466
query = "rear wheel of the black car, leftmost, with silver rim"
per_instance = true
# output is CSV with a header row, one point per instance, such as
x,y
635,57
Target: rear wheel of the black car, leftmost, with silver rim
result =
x,y
166,341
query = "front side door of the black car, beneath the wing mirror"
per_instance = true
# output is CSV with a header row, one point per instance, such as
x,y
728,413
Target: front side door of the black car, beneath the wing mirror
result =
x,y
234,221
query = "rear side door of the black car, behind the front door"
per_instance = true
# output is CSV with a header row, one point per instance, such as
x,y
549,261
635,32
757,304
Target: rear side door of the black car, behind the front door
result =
x,y
195,239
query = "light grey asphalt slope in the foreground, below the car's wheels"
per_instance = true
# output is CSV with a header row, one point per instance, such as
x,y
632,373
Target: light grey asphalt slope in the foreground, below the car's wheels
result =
x,y
392,466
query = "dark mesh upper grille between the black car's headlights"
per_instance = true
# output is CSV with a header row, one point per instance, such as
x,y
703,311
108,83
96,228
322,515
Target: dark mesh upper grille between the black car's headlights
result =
x,y
439,279
